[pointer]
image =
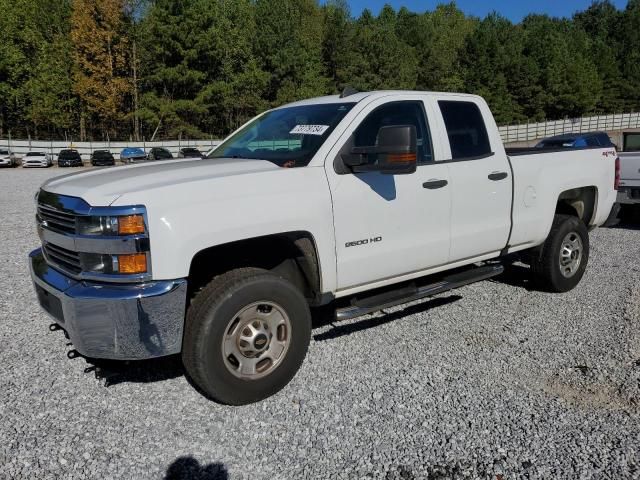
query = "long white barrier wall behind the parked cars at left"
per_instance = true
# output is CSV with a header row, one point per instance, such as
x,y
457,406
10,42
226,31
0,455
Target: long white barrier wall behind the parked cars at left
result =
x,y
20,147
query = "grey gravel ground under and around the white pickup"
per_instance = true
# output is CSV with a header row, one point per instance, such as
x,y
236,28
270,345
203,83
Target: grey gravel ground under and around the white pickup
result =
x,y
490,381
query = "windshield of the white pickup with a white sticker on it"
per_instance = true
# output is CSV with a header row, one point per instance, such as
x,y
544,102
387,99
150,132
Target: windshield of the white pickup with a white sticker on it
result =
x,y
288,137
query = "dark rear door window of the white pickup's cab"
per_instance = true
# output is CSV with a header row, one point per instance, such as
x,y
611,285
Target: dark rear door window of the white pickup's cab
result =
x,y
466,130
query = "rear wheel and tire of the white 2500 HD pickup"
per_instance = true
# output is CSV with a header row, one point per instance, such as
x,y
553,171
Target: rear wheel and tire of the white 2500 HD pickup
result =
x,y
554,272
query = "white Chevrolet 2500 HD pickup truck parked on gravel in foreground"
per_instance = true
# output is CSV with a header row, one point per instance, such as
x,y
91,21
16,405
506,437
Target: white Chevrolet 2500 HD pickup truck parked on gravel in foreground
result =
x,y
361,201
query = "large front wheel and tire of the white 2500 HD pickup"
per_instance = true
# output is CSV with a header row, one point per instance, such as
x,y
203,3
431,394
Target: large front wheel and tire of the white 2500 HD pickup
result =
x,y
234,304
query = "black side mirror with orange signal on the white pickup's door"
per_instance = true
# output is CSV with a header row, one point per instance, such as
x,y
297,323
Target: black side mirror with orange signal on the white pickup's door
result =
x,y
395,152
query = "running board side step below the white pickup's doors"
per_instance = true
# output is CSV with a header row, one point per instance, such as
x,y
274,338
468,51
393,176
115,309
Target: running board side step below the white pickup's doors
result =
x,y
411,293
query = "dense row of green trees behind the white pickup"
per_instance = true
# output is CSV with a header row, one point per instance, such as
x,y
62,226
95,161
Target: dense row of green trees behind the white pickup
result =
x,y
168,68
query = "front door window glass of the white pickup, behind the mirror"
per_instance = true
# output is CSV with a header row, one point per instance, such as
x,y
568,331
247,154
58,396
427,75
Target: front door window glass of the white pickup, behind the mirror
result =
x,y
396,113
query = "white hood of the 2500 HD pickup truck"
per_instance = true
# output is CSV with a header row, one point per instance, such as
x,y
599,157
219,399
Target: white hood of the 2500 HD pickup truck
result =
x,y
102,187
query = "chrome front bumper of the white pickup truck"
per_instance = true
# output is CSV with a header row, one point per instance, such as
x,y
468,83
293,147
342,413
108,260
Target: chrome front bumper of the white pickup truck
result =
x,y
114,321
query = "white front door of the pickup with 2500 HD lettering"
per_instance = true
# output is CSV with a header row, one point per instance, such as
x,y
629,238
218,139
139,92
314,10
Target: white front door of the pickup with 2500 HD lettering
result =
x,y
389,225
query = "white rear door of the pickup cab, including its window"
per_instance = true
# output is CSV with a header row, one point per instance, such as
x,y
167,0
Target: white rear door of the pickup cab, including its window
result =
x,y
481,183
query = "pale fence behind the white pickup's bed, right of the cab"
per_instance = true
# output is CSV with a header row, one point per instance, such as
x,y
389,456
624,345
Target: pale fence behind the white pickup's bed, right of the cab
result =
x,y
533,131
